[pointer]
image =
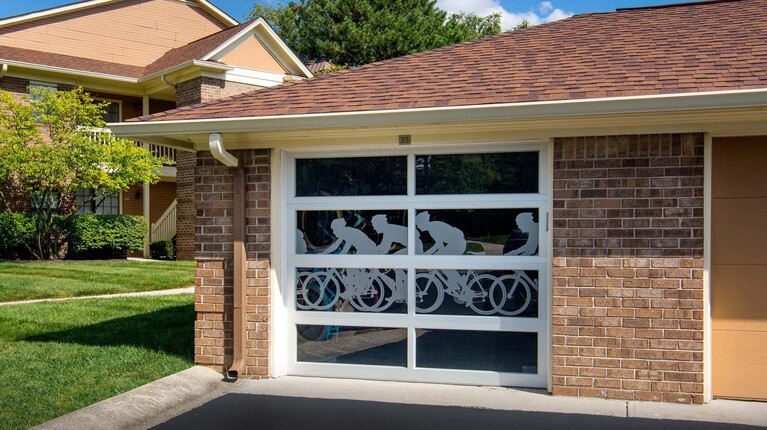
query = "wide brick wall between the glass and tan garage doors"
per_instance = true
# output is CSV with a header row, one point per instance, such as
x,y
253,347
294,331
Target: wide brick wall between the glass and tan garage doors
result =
x,y
628,258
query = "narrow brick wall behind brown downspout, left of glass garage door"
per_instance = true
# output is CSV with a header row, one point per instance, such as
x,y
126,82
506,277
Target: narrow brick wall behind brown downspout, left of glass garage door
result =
x,y
214,279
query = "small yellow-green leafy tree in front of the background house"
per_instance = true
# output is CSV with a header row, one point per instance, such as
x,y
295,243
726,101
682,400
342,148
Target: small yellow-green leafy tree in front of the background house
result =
x,y
49,151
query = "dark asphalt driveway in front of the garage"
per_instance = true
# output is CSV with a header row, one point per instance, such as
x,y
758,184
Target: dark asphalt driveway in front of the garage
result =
x,y
249,411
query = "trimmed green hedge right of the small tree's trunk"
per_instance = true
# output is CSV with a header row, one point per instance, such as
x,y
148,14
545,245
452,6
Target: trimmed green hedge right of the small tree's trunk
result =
x,y
105,236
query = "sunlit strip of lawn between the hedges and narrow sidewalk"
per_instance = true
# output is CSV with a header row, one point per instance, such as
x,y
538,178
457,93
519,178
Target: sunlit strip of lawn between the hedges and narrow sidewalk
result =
x,y
44,280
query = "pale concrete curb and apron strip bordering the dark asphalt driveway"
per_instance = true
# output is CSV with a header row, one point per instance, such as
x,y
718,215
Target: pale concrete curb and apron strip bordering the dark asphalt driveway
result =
x,y
180,394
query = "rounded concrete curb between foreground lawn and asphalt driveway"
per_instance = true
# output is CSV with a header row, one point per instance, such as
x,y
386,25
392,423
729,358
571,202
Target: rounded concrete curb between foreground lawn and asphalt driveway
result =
x,y
148,405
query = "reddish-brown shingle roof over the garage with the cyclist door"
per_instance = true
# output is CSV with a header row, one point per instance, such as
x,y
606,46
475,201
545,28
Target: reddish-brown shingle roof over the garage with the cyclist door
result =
x,y
695,47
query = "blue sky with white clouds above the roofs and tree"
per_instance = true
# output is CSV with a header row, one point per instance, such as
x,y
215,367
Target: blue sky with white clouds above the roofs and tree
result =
x,y
512,11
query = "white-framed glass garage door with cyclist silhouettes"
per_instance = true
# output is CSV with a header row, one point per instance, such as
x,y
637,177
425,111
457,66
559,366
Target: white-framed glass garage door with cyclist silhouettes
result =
x,y
419,265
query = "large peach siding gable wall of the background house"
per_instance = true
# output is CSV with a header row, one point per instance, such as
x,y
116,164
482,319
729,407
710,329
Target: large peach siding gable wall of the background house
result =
x,y
133,32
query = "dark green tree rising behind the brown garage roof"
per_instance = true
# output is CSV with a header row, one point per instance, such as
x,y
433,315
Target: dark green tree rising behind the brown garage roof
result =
x,y
355,32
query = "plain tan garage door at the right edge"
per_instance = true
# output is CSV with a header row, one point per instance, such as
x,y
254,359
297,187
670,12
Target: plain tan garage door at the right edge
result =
x,y
739,268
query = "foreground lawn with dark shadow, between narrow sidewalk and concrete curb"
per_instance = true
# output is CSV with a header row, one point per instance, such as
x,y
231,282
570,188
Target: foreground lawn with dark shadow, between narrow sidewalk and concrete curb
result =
x,y
58,357
